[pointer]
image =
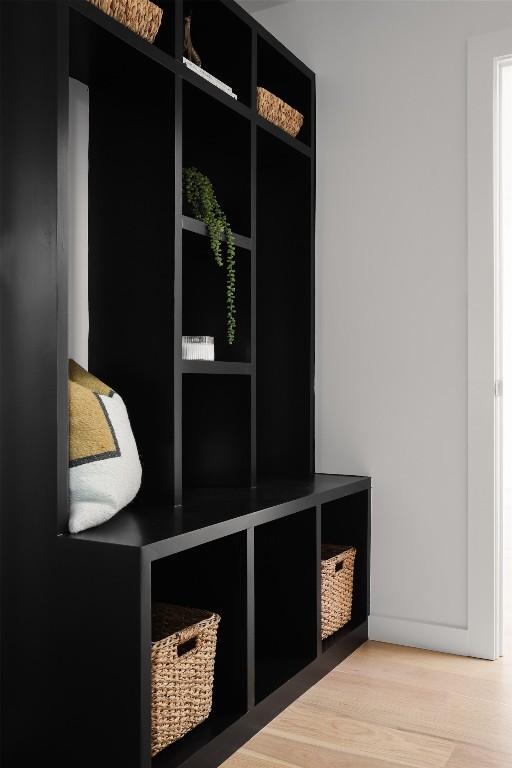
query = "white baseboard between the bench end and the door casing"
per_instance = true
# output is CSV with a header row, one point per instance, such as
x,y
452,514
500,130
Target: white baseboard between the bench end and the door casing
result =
x,y
418,634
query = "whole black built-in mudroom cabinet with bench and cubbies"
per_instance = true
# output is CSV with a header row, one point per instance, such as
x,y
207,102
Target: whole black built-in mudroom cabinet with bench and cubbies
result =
x,y
231,515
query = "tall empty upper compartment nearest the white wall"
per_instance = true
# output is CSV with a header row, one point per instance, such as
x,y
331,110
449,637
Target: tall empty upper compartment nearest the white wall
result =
x,y
284,310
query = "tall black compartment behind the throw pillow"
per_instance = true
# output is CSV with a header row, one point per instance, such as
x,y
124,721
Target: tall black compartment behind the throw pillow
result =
x,y
130,236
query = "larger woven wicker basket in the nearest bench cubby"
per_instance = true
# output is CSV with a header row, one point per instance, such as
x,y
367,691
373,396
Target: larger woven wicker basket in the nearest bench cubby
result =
x,y
182,660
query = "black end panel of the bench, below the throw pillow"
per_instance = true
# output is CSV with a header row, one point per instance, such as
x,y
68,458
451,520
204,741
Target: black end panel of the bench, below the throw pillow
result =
x,y
104,656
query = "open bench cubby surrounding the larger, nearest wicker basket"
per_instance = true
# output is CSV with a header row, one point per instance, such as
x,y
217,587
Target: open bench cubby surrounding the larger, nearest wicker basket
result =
x,y
210,577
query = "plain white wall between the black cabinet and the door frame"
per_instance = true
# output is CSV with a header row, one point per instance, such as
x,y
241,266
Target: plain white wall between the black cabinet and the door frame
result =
x,y
391,286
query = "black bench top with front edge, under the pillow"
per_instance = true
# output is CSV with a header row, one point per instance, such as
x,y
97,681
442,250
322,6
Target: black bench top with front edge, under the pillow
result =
x,y
208,514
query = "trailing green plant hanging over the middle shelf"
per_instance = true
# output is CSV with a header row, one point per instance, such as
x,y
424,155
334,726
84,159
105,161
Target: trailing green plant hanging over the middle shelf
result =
x,y
201,197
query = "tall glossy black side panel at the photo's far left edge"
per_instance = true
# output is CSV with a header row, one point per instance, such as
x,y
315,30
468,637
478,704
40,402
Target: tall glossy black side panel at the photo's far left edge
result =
x,y
32,286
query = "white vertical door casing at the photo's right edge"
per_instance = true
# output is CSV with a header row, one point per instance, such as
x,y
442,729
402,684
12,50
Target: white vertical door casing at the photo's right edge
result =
x,y
488,56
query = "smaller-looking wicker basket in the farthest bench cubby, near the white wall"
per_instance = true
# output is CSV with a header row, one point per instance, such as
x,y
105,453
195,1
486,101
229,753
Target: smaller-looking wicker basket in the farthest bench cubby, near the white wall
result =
x,y
337,587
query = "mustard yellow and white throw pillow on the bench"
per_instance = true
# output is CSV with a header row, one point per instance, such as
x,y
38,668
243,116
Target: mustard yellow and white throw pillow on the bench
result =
x,y
104,465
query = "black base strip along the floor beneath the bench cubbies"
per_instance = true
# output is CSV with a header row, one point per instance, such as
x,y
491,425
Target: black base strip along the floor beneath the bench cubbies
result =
x,y
238,733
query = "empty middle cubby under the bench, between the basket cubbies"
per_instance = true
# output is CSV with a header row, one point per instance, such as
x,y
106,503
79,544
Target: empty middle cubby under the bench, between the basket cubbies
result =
x,y
285,599
